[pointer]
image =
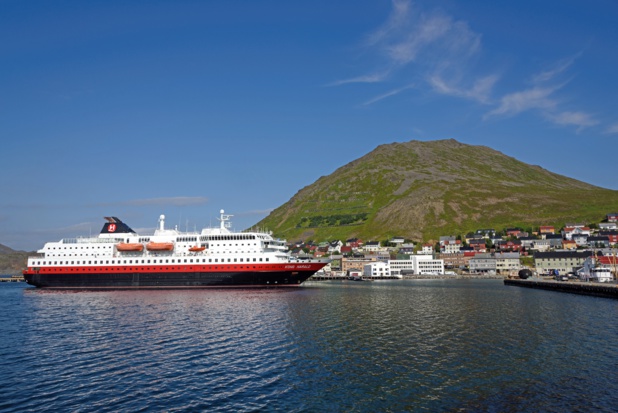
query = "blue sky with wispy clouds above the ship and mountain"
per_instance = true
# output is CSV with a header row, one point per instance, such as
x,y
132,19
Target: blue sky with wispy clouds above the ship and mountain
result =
x,y
135,108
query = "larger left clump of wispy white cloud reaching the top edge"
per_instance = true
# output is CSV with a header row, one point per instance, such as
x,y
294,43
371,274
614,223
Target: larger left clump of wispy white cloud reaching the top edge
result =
x,y
428,46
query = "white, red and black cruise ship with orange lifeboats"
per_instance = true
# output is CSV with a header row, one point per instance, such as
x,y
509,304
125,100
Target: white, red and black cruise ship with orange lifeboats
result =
x,y
119,258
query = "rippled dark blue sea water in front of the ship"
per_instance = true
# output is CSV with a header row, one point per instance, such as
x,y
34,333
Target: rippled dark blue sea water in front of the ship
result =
x,y
390,346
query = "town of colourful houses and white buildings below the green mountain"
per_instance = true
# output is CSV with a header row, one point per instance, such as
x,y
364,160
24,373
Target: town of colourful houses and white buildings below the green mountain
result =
x,y
577,251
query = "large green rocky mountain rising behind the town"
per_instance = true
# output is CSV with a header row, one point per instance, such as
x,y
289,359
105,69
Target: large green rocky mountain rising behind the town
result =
x,y
421,190
